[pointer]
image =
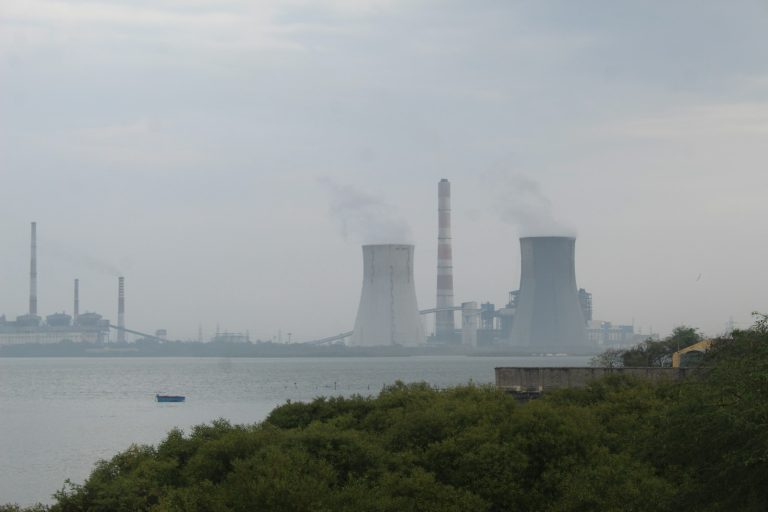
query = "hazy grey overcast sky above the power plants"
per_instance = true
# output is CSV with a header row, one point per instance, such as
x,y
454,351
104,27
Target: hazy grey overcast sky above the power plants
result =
x,y
229,156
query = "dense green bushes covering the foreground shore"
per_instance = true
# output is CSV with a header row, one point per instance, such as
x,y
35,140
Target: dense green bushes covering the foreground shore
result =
x,y
618,445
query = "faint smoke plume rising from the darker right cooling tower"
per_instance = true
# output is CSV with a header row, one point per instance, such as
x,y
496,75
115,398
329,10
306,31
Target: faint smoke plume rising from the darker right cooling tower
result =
x,y
521,203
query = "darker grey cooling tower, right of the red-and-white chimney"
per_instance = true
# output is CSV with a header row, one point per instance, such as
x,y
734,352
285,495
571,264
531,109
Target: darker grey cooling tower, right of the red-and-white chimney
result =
x,y
548,316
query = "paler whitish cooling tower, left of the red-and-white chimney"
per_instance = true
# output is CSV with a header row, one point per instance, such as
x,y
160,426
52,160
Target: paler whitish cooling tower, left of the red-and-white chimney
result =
x,y
388,313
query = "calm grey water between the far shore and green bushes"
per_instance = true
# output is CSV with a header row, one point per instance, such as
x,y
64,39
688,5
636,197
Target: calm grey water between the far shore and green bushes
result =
x,y
59,416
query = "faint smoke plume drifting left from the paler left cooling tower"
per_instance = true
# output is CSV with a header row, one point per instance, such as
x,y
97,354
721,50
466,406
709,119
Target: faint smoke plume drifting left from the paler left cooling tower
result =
x,y
363,217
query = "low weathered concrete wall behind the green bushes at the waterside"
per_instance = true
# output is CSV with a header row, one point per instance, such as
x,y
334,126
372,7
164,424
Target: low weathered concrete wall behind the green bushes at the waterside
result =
x,y
543,379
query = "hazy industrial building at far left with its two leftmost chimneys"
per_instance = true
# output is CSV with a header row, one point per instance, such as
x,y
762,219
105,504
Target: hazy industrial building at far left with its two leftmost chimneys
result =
x,y
32,328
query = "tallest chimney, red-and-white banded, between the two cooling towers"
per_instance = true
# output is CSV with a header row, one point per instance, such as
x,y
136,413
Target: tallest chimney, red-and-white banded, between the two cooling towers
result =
x,y
444,320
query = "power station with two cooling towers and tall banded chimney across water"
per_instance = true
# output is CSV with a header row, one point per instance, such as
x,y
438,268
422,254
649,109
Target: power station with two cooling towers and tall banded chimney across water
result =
x,y
547,314
